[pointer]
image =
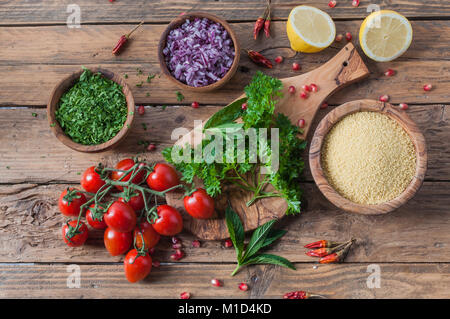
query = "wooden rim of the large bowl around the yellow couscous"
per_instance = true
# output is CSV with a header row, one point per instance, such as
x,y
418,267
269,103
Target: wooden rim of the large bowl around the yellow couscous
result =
x,y
396,114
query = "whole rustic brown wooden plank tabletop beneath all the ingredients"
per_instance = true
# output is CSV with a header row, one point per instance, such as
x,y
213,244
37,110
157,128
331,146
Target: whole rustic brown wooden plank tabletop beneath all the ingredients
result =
x,y
411,245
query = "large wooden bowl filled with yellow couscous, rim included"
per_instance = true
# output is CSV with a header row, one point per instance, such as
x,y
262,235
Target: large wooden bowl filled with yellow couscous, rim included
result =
x,y
368,157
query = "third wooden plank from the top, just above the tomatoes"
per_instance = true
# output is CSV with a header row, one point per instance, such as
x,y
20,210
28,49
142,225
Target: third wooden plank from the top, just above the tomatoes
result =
x,y
29,149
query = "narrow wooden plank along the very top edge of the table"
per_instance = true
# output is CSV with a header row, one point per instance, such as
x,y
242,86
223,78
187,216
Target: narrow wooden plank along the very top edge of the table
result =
x,y
54,11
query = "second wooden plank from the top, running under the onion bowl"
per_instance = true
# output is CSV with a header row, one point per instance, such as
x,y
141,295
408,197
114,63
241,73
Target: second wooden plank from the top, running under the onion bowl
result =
x,y
28,78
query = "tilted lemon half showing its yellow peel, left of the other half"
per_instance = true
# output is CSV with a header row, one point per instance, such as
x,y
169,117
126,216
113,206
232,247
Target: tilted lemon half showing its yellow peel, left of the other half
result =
x,y
310,29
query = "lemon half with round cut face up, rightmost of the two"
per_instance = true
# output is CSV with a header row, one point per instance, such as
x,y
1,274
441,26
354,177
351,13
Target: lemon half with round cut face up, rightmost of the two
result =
x,y
385,35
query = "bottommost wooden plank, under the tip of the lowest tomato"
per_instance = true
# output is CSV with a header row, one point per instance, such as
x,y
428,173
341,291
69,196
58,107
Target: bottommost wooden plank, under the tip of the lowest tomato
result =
x,y
333,281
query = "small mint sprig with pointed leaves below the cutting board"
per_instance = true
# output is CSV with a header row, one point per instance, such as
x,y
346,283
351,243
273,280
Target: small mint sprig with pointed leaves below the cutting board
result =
x,y
263,236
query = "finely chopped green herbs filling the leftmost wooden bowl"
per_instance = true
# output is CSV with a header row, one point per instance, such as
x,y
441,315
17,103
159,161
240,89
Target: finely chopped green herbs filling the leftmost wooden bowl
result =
x,y
93,111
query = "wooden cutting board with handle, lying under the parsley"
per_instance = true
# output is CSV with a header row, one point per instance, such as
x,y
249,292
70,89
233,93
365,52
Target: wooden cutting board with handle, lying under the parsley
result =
x,y
343,69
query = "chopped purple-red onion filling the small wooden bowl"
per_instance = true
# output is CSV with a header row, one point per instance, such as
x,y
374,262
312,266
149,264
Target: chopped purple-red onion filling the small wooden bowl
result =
x,y
199,52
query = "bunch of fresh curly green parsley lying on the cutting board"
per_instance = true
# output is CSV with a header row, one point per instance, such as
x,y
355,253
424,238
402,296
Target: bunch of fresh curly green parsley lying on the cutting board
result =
x,y
262,95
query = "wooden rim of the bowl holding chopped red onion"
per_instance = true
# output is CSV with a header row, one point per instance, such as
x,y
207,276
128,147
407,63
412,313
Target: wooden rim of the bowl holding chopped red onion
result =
x,y
180,20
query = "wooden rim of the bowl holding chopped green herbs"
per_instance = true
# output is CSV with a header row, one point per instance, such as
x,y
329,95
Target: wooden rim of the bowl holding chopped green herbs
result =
x,y
62,87
